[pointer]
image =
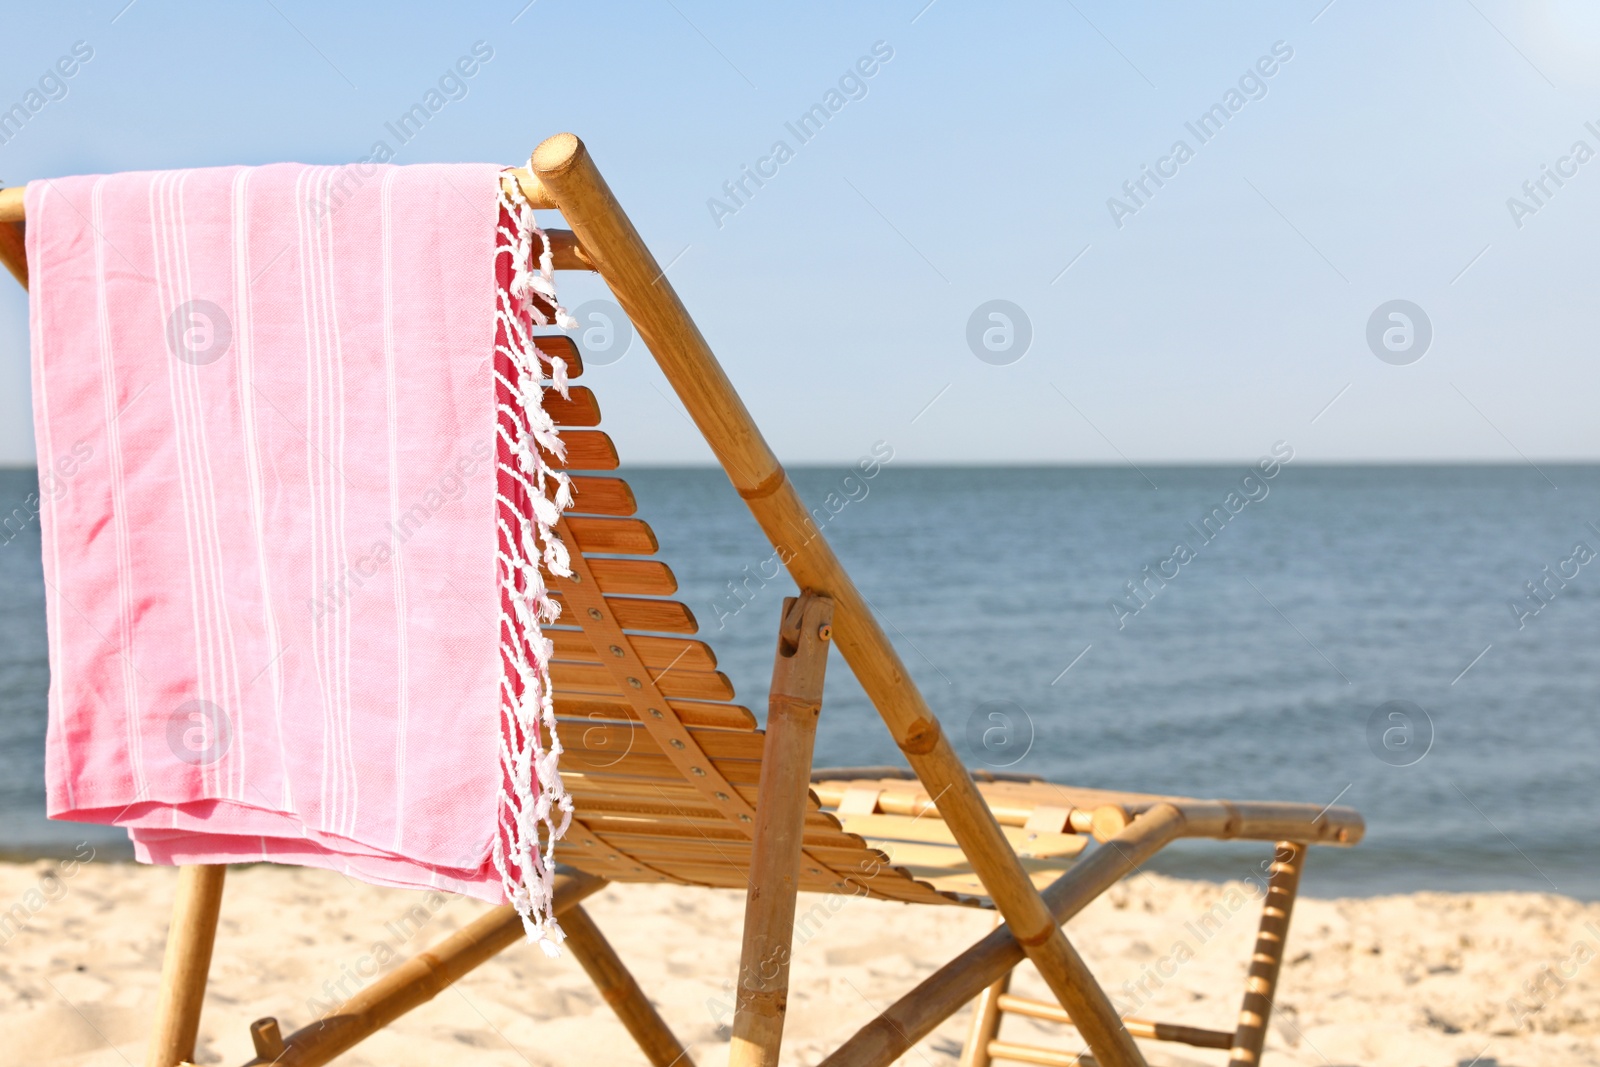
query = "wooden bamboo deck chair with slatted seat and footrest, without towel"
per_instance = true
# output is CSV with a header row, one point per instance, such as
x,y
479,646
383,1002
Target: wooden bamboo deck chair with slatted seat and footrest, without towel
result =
x,y
674,783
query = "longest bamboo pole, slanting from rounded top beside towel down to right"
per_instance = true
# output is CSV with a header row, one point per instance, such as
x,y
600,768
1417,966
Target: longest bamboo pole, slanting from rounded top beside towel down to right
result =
x,y
641,287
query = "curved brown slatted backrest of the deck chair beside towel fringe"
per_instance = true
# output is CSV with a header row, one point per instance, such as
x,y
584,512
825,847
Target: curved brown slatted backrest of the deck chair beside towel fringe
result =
x,y
662,762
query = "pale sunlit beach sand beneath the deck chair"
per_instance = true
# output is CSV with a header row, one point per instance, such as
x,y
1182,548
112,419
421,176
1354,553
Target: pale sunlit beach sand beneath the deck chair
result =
x,y
1433,980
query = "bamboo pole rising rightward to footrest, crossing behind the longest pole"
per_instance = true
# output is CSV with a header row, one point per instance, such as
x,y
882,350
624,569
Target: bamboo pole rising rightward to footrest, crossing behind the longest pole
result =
x,y
958,983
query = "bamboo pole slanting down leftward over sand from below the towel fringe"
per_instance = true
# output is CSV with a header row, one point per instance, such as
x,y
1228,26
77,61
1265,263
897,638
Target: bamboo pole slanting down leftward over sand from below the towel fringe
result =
x,y
418,980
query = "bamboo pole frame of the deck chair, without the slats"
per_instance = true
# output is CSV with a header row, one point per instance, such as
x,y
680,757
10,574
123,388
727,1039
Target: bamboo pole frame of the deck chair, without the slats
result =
x,y
1134,826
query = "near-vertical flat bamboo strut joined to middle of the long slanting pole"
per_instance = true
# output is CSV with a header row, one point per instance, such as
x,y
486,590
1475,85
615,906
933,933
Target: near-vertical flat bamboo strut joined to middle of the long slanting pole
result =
x,y
793,709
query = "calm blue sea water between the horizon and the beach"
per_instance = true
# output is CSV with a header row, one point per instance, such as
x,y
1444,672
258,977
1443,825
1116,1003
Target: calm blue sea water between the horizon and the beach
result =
x,y
1330,634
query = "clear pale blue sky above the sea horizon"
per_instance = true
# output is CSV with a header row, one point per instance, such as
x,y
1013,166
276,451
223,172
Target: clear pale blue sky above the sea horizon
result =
x,y
1225,313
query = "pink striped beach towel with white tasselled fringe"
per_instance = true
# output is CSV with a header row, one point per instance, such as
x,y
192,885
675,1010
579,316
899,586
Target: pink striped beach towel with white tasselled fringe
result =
x,y
294,580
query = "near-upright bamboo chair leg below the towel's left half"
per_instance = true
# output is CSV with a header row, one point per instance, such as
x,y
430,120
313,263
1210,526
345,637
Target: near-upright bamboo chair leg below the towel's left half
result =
x,y
186,965
